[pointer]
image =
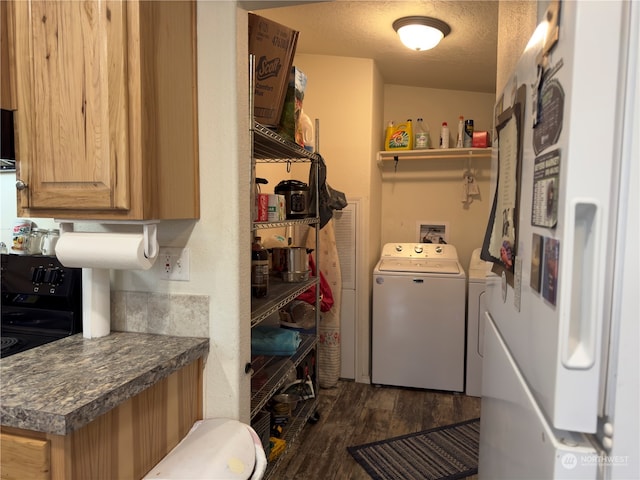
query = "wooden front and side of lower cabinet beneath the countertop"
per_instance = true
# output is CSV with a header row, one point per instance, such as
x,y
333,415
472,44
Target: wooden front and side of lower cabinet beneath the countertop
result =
x,y
124,443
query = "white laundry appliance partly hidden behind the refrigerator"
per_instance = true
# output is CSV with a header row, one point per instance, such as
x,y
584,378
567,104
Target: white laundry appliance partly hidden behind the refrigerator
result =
x,y
478,271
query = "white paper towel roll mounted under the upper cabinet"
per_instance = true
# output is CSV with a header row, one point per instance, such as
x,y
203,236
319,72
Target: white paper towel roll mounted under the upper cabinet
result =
x,y
118,251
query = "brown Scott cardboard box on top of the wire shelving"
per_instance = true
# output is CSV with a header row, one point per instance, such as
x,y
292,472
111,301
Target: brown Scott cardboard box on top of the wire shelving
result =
x,y
274,46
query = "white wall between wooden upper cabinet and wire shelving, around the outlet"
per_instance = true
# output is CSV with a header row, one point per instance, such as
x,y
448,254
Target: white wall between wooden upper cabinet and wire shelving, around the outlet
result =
x,y
219,242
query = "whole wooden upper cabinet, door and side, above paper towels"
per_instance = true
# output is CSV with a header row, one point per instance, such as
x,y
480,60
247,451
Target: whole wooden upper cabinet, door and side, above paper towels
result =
x,y
106,109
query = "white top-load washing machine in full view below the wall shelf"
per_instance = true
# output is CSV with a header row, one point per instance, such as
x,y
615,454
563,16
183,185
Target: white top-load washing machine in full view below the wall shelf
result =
x,y
418,320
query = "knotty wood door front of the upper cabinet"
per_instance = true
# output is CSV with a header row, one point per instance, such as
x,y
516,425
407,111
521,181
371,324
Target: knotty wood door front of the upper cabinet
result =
x,y
71,66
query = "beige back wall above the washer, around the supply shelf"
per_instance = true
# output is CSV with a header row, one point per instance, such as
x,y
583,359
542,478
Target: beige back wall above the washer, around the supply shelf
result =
x,y
422,190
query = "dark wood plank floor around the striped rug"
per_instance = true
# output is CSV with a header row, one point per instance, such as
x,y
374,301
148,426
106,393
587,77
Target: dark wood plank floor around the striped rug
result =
x,y
356,413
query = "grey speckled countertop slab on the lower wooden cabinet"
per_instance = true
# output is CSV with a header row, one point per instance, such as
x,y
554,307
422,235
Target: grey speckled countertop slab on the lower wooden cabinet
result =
x,y
62,386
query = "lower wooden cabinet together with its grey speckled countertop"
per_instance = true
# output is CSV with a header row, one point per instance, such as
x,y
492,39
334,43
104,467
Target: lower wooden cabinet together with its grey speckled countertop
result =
x,y
125,401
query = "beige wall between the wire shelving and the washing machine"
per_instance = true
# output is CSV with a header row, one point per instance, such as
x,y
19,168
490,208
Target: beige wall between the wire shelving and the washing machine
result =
x,y
345,94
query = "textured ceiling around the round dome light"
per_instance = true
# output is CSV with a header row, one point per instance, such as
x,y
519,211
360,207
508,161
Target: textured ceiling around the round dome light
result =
x,y
464,60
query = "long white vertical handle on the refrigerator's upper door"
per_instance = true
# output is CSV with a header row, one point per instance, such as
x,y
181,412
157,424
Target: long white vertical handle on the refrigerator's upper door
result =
x,y
579,328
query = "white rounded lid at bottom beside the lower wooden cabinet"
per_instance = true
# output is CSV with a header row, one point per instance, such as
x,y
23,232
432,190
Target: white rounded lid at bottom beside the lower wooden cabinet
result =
x,y
217,448
